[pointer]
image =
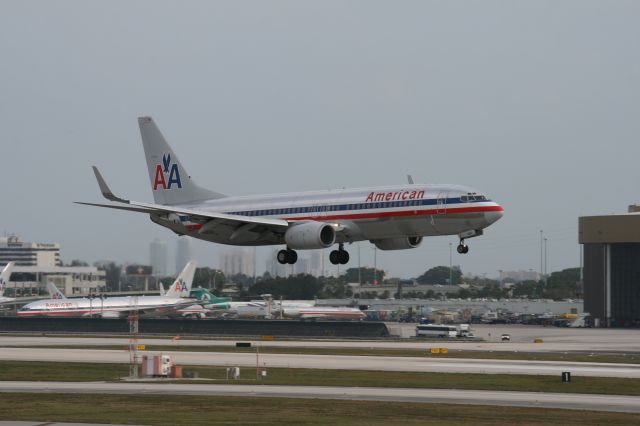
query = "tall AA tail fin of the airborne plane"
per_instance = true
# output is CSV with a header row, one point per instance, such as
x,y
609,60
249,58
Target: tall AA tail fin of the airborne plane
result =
x,y
170,182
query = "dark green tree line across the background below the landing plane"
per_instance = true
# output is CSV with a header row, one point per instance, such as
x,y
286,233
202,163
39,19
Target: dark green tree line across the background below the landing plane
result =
x,y
558,285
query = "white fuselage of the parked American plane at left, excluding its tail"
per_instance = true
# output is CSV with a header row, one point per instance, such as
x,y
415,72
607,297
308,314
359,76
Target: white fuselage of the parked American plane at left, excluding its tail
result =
x,y
107,307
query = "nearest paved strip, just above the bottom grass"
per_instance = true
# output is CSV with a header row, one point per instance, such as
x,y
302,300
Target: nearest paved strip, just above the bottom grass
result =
x,y
628,404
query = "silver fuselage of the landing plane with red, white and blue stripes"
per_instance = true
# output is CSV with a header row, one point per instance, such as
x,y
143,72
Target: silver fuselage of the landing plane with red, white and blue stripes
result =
x,y
410,210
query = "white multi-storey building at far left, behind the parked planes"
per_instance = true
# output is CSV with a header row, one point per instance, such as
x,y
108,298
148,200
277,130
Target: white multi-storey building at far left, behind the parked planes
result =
x,y
28,254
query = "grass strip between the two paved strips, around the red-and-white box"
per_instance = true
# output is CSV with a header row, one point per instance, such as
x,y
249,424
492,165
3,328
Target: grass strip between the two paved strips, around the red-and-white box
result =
x,y
30,371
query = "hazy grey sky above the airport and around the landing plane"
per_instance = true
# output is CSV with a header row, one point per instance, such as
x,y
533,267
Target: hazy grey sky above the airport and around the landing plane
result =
x,y
534,102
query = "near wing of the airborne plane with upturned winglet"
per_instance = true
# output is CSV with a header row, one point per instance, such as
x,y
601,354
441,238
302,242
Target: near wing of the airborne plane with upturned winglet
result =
x,y
207,218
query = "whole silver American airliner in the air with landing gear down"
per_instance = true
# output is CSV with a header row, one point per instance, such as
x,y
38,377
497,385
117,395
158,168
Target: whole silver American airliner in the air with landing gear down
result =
x,y
391,217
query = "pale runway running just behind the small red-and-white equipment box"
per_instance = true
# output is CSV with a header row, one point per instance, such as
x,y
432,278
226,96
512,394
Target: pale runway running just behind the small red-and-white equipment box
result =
x,y
339,362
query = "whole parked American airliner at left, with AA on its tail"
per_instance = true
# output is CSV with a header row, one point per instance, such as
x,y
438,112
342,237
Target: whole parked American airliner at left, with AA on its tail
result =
x,y
116,307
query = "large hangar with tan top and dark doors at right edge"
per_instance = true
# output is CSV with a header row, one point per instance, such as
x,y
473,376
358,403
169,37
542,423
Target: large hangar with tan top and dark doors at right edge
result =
x,y
611,272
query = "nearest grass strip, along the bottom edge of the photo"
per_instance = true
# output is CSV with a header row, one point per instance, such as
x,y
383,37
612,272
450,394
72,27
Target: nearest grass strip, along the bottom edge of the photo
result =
x,y
201,410
